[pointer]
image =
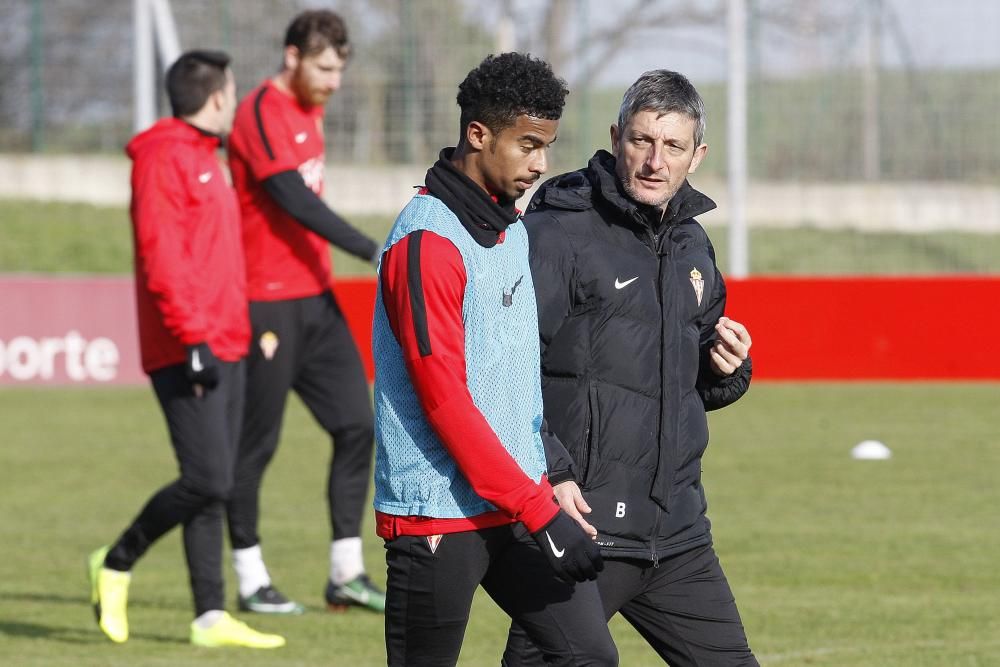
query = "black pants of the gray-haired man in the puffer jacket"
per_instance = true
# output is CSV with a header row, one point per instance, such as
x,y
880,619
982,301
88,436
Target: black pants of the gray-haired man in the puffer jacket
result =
x,y
684,609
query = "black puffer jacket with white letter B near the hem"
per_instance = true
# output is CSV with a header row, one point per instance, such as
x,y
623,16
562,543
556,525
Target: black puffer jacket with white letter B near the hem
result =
x,y
627,307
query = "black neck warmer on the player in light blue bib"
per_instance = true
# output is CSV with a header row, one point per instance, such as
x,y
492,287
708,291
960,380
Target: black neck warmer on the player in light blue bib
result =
x,y
482,217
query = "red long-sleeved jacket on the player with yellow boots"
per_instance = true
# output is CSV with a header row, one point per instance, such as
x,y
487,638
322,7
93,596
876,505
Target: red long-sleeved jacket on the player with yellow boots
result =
x,y
190,278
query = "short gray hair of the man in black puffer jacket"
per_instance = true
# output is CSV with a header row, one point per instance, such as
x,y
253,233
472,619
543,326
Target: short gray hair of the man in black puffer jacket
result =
x,y
664,92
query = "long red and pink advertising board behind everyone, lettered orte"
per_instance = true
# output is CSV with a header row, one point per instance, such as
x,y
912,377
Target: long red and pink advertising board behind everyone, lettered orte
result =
x,y
62,331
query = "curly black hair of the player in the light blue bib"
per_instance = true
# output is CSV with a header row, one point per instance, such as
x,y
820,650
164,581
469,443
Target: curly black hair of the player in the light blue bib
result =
x,y
509,85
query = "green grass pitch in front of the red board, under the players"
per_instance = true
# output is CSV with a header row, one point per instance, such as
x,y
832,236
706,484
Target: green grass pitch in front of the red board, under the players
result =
x,y
834,562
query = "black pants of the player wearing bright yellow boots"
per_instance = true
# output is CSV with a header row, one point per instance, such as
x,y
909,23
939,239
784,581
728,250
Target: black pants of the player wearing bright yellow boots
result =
x,y
204,432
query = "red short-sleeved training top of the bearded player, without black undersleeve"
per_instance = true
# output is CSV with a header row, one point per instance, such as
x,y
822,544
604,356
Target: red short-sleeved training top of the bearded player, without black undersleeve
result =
x,y
273,133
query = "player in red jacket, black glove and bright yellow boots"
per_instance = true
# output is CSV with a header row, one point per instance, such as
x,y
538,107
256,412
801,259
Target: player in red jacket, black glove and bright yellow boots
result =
x,y
193,333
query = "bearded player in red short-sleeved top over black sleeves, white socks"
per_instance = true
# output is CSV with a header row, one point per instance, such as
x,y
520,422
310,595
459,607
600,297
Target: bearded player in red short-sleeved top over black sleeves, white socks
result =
x,y
300,338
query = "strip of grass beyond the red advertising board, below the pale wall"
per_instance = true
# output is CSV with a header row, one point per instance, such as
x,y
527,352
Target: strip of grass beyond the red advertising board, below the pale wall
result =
x,y
62,238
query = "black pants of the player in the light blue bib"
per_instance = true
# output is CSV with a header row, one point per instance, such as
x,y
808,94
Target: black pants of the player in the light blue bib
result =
x,y
429,596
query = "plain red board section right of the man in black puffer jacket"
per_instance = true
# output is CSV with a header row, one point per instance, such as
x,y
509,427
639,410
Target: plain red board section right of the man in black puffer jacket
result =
x,y
870,328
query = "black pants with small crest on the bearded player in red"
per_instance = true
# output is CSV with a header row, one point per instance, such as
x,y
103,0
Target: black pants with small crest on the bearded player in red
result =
x,y
305,345
